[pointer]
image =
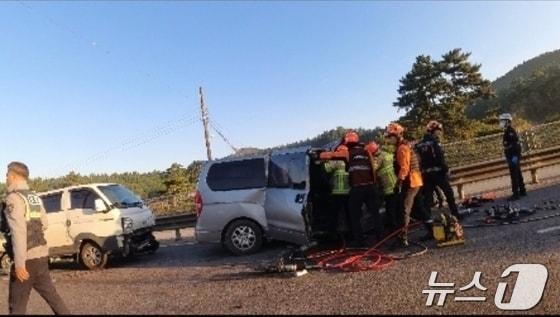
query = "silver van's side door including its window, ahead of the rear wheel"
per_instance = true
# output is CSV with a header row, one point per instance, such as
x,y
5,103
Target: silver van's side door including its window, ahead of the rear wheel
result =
x,y
286,196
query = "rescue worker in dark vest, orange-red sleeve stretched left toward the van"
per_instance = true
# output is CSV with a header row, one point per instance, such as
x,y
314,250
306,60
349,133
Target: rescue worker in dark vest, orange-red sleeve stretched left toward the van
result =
x,y
362,186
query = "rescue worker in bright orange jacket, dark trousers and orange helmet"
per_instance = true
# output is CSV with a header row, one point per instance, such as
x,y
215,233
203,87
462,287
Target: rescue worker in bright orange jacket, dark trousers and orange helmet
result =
x,y
409,181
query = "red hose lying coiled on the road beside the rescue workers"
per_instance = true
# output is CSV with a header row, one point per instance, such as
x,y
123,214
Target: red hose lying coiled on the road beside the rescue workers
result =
x,y
356,260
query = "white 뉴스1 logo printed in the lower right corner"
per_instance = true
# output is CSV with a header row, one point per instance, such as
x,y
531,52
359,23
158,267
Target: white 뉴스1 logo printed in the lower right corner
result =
x,y
527,292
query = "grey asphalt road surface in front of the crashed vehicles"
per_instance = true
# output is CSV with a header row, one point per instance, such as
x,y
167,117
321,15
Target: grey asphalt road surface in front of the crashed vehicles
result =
x,y
187,278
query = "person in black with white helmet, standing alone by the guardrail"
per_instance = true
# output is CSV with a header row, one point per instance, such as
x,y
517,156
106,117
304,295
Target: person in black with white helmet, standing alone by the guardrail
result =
x,y
512,151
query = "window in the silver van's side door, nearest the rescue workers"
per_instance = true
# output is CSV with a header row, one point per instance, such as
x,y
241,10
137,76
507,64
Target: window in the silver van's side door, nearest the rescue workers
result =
x,y
288,171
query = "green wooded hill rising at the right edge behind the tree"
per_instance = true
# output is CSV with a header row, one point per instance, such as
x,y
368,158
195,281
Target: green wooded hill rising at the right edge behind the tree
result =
x,y
530,90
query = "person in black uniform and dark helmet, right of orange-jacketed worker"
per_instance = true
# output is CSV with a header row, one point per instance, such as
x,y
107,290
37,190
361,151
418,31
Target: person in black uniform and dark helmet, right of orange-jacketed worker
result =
x,y
435,171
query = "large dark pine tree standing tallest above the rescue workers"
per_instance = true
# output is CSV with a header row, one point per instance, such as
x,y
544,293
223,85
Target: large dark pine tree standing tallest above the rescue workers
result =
x,y
441,90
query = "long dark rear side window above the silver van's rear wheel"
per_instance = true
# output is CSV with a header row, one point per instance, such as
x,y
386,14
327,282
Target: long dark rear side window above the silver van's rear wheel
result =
x,y
237,175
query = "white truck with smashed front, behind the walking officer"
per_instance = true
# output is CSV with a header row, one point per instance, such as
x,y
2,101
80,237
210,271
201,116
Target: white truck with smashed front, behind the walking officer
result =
x,y
90,223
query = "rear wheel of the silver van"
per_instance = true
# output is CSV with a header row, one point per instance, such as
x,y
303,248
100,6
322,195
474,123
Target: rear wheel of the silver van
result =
x,y
243,237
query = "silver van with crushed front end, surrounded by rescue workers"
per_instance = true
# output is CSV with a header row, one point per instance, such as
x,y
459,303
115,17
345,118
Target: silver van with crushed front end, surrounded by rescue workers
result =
x,y
242,202
